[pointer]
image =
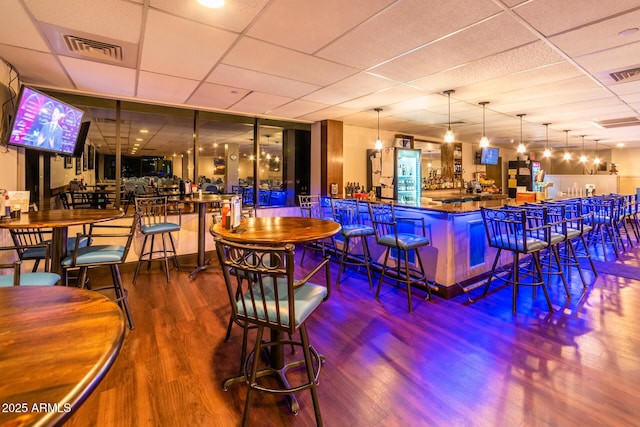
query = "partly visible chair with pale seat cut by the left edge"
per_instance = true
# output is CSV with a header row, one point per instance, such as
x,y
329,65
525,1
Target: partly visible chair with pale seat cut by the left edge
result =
x,y
17,278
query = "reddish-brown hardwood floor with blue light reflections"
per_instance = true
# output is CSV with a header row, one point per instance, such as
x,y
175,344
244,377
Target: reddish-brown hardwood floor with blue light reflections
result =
x,y
449,363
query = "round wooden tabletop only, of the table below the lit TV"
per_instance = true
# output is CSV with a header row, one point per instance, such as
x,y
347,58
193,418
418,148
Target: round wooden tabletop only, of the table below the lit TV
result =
x,y
61,218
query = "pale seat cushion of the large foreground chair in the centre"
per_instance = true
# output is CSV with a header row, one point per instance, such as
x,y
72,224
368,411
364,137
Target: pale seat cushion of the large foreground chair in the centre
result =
x,y
307,297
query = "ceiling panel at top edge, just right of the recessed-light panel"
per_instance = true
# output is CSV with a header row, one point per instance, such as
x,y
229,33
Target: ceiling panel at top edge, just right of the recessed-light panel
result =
x,y
309,26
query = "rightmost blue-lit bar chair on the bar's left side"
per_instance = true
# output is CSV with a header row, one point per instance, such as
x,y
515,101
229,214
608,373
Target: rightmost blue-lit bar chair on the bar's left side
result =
x,y
398,234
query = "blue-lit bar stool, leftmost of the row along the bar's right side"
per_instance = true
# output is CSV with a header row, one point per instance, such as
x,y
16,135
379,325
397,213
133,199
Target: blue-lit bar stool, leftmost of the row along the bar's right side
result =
x,y
511,230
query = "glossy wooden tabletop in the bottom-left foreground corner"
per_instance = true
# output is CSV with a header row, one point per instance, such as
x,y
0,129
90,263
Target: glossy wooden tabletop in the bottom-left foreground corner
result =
x,y
56,344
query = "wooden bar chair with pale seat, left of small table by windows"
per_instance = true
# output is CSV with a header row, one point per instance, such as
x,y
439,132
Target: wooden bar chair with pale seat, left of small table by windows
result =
x,y
152,211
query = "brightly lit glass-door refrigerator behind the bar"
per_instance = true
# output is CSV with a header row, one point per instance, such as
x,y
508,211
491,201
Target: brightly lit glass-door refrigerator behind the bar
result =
x,y
408,167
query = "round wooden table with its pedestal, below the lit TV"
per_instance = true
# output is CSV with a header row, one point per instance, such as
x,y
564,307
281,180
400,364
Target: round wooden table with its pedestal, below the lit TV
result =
x,y
59,221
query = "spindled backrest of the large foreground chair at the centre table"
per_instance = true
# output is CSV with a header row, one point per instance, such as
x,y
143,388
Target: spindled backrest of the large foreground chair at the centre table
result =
x,y
268,298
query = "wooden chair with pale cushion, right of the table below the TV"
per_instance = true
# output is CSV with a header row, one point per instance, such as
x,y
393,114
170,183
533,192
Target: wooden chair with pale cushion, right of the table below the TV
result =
x,y
114,238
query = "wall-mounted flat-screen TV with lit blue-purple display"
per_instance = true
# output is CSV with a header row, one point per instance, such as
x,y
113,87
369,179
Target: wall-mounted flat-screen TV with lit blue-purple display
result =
x,y
42,122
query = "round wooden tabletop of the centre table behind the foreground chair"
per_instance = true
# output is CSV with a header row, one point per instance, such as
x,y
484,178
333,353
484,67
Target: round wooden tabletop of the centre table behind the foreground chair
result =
x,y
278,229
